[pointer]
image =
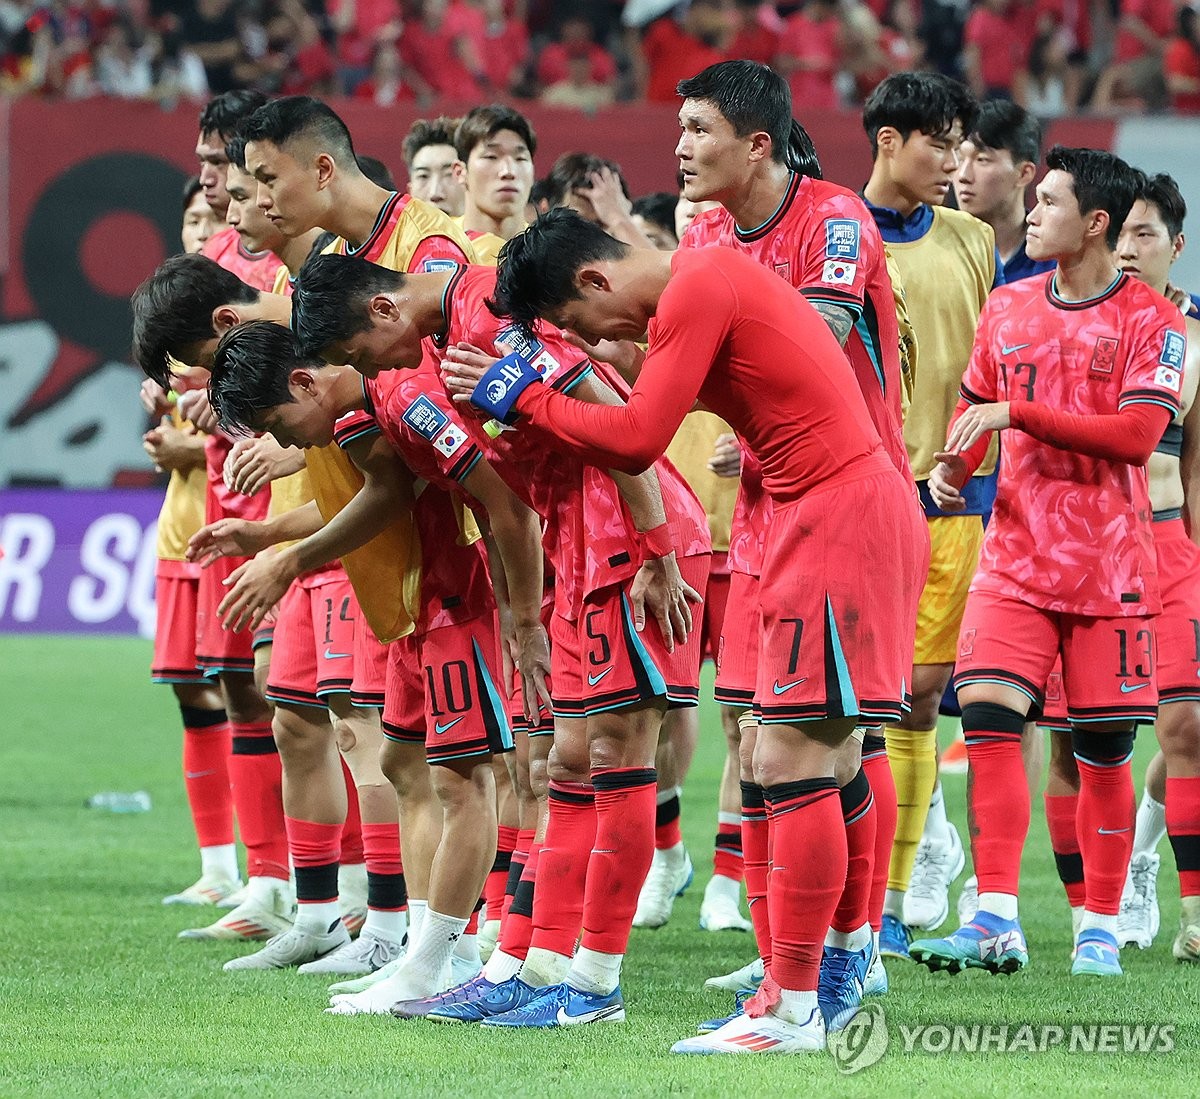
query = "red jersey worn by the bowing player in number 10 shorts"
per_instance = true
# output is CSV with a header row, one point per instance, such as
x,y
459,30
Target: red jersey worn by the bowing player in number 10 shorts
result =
x,y
455,585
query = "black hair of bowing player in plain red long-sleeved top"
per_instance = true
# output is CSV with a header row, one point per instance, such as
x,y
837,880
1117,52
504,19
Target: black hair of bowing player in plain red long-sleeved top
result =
x,y
537,269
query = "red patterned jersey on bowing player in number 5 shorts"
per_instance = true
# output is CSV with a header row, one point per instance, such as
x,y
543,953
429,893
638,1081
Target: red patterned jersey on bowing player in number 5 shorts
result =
x,y
589,533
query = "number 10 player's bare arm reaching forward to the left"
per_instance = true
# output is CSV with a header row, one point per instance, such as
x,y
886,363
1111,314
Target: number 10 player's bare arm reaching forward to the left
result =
x,y
387,494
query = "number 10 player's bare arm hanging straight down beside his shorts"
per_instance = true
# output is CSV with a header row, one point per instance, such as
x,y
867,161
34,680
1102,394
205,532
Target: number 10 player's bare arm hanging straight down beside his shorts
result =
x,y
517,532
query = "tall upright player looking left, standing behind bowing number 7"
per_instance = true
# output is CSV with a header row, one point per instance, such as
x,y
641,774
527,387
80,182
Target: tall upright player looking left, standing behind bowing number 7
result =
x,y
735,148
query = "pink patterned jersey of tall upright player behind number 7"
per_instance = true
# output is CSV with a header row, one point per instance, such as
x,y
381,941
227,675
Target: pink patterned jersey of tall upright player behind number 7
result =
x,y
825,243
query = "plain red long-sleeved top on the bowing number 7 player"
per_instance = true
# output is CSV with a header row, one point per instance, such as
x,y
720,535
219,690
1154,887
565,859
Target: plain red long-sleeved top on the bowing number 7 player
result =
x,y
757,355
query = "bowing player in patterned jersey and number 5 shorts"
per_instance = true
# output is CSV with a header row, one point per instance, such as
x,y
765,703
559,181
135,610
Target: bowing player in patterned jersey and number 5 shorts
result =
x,y
616,543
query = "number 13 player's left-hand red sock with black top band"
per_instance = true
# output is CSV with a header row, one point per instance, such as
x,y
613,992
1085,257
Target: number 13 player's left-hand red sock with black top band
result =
x,y
998,795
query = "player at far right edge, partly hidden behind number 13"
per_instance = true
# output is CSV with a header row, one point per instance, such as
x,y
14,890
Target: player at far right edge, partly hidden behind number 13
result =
x,y
1150,243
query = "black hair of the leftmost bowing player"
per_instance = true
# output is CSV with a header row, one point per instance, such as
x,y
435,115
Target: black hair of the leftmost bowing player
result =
x,y
173,311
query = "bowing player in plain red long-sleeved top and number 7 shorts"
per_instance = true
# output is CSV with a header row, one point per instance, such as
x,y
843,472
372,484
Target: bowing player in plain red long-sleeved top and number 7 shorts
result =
x,y
827,662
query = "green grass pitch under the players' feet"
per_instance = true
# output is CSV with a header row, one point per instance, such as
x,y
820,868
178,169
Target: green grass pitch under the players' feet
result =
x,y
98,996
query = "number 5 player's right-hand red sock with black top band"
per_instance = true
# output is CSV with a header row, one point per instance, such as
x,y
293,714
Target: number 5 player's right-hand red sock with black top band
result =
x,y
622,855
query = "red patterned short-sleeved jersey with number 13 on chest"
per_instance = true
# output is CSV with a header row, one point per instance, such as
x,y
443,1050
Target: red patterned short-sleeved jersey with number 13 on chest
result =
x,y
1069,532
